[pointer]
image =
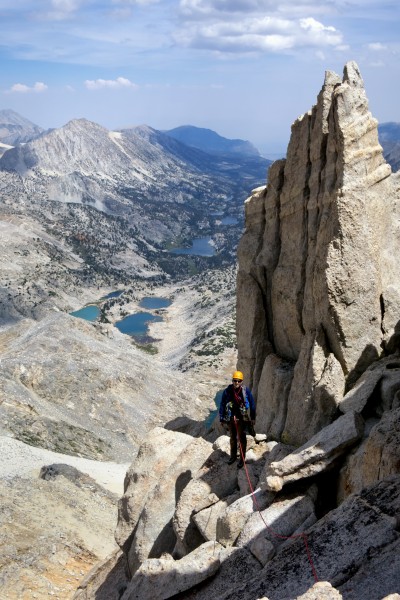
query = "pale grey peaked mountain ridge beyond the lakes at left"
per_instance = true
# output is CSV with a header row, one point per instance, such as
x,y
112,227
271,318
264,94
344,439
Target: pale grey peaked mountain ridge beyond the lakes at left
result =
x,y
161,187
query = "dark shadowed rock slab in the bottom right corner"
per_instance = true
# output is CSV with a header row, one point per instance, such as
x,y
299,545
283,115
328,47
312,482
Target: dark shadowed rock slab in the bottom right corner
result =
x,y
339,544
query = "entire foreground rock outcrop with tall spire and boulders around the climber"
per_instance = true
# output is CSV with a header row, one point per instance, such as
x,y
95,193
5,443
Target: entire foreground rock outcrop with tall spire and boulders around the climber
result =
x,y
315,511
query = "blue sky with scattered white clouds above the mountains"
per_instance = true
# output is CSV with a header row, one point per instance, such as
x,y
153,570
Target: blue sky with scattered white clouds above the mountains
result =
x,y
245,68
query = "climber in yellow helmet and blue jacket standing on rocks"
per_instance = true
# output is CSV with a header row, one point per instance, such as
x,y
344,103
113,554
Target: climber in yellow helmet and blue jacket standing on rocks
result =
x,y
237,412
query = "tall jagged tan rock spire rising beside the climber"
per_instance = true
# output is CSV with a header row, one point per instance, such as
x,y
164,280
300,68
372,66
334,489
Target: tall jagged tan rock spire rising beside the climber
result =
x,y
318,287
